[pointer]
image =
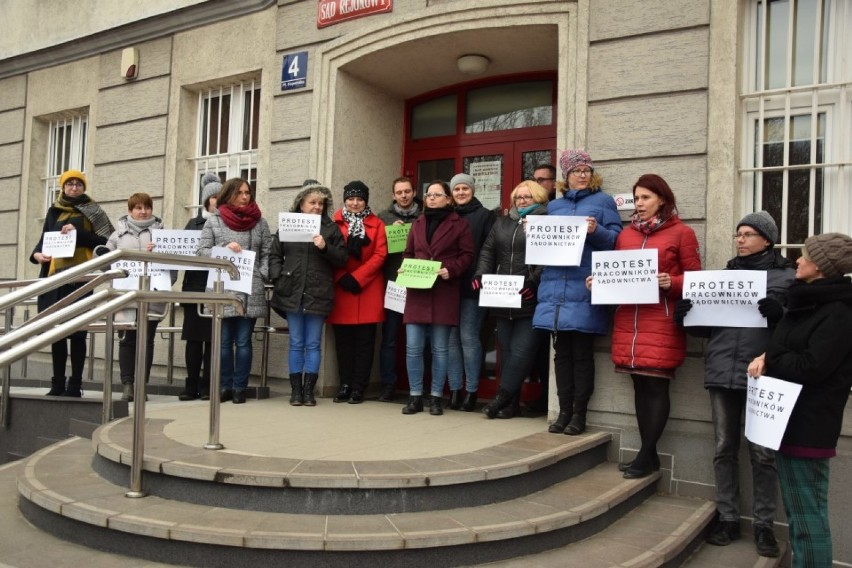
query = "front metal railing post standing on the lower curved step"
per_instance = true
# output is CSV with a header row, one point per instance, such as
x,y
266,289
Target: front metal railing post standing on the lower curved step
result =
x,y
138,455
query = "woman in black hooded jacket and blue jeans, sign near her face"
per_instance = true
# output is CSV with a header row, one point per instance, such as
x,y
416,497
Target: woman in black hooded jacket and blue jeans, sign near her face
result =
x,y
303,275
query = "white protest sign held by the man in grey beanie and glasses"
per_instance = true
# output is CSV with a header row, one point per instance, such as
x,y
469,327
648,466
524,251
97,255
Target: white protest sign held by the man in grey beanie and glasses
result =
x,y
725,298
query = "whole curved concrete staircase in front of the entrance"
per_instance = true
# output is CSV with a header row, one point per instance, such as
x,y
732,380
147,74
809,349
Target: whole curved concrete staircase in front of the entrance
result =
x,y
542,499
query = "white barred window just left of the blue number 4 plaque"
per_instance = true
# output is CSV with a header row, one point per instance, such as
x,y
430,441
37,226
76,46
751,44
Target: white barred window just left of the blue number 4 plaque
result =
x,y
232,160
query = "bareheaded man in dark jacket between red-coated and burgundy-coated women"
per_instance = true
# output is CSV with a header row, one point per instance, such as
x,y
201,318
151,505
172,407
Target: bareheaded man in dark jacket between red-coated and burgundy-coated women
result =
x,y
404,209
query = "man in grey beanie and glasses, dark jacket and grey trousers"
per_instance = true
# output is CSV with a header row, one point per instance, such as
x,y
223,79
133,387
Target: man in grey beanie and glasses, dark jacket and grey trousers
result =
x,y
729,351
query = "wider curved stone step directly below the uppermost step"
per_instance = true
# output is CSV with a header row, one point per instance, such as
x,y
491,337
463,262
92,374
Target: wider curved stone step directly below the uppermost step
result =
x,y
61,493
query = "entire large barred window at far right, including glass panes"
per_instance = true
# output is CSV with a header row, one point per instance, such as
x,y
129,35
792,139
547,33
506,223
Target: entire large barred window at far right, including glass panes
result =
x,y
797,112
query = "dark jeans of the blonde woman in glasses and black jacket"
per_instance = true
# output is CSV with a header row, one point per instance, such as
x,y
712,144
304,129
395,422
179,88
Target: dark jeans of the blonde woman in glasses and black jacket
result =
x,y
518,350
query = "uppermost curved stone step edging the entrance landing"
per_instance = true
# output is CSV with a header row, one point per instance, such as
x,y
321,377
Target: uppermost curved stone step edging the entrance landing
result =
x,y
174,469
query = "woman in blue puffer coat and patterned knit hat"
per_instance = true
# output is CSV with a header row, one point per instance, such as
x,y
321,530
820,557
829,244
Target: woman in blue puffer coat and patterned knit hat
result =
x,y
565,304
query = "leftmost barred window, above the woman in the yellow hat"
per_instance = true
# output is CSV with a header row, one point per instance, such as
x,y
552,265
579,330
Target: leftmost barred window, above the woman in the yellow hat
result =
x,y
67,138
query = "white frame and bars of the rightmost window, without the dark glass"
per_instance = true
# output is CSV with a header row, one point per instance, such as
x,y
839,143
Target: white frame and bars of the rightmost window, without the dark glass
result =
x,y
832,97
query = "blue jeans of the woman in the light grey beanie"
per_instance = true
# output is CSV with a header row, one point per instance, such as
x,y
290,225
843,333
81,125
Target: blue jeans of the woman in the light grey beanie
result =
x,y
466,346
